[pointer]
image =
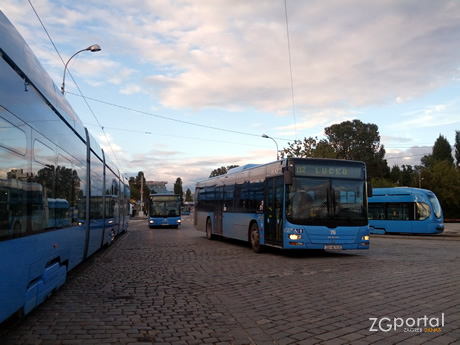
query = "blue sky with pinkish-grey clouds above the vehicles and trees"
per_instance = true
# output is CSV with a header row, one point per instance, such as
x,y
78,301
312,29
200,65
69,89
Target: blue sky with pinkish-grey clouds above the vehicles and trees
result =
x,y
183,87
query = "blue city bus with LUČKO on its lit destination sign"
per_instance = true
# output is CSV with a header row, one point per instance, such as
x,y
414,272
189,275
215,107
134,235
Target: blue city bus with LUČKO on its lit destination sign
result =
x,y
294,203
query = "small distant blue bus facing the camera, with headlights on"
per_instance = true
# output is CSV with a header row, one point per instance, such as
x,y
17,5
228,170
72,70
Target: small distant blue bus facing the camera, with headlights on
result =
x,y
165,210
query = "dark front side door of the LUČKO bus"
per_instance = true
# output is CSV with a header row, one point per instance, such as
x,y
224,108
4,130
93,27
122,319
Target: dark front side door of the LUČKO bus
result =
x,y
273,210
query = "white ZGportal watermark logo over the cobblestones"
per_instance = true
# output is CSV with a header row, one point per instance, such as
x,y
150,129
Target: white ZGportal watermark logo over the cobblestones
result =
x,y
410,324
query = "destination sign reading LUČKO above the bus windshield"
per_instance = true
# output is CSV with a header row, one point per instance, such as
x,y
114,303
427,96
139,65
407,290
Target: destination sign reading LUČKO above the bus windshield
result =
x,y
328,170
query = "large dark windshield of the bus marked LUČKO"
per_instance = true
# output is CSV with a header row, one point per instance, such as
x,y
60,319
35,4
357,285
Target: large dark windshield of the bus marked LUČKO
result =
x,y
326,201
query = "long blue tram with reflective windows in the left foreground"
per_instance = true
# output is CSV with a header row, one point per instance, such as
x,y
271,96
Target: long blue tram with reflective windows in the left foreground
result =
x,y
61,198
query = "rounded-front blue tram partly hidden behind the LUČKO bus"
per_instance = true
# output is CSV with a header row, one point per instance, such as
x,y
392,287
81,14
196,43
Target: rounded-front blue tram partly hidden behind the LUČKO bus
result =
x,y
405,210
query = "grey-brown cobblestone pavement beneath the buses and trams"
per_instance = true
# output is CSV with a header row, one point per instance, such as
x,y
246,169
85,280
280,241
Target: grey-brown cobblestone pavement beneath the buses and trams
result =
x,y
167,286
